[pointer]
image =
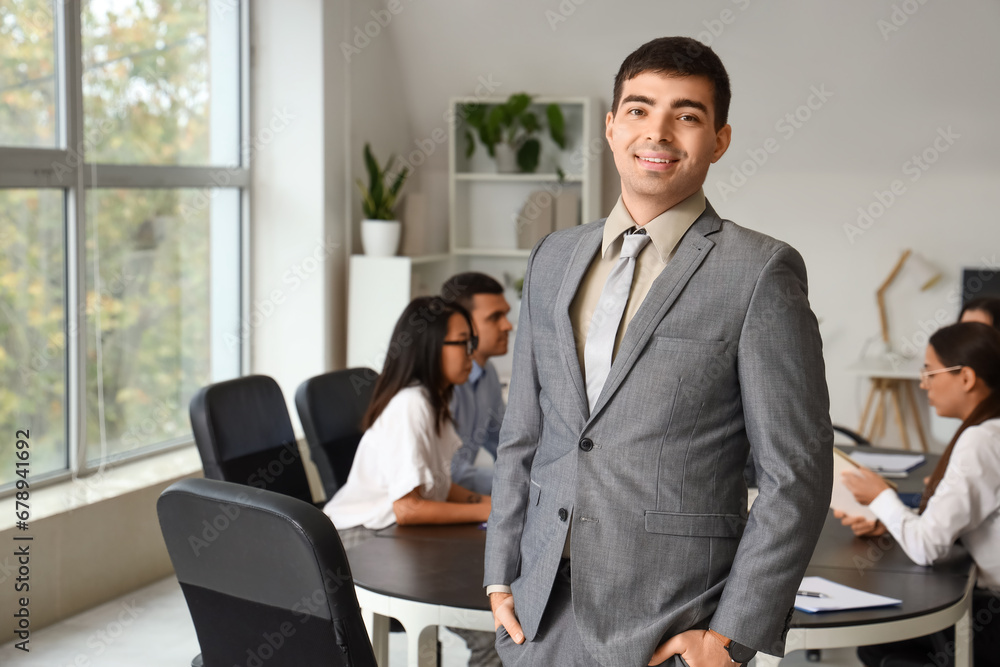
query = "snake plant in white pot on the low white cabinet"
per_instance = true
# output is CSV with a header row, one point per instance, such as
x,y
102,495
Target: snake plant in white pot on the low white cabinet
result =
x,y
380,230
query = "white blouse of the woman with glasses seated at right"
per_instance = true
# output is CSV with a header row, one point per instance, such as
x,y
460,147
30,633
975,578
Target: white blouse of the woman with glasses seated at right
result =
x,y
966,507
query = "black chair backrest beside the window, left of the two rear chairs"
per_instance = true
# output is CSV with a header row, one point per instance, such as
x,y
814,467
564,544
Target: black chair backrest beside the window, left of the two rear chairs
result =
x,y
245,436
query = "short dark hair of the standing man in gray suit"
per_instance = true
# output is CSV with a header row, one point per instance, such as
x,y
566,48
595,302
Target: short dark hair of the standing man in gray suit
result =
x,y
678,56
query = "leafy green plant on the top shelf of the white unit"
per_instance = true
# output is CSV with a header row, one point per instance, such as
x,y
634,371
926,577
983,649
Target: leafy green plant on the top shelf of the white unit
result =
x,y
507,131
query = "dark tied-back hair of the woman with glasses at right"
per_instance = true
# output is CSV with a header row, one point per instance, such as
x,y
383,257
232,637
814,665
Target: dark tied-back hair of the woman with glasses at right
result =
x,y
977,346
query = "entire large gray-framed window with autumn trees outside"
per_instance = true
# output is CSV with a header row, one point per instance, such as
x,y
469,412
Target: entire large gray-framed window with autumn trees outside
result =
x,y
122,210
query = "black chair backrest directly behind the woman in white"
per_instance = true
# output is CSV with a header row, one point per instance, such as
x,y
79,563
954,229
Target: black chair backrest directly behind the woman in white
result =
x,y
330,408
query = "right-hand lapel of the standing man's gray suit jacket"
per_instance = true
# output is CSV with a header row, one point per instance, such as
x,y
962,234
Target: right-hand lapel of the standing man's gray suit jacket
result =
x,y
691,252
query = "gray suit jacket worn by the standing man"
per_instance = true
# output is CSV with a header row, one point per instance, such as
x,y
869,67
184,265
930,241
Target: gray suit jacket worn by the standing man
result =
x,y
723,354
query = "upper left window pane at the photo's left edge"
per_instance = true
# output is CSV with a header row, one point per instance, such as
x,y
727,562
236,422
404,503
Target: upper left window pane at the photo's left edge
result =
x,y
27,73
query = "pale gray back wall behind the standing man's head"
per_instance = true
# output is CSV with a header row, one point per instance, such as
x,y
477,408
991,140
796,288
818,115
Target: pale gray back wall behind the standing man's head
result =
x,y
890,92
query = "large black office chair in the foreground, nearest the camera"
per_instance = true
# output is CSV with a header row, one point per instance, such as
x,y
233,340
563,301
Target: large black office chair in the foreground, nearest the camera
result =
x,y
264,575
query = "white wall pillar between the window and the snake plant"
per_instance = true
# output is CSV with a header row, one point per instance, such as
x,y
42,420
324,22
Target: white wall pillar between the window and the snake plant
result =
x,y
298,235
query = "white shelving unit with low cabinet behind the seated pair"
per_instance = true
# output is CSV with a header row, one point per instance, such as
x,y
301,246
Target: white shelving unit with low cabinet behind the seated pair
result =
x,y
483,210
